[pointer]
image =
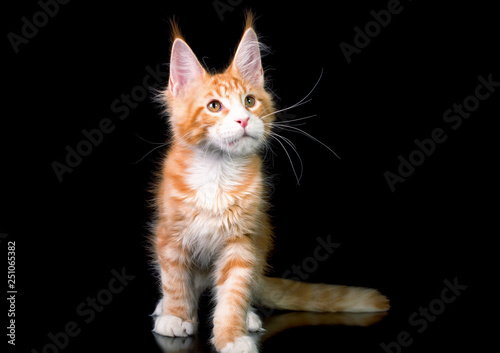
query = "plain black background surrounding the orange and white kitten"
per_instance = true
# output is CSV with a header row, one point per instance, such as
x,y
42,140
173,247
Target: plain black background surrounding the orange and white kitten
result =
x,y
436,225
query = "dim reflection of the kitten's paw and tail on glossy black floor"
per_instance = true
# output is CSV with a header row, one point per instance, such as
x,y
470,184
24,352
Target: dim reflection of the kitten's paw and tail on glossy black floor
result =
x,y
273,325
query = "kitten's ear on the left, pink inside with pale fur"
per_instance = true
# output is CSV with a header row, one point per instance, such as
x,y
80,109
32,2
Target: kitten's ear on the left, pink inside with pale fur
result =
x,y
184,67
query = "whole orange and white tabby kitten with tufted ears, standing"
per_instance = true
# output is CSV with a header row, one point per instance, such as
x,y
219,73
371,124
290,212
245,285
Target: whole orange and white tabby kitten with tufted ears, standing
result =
x,y
212,228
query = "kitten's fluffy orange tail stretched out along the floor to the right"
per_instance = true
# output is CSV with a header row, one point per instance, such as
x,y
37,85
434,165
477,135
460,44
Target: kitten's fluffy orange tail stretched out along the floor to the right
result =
x,y
280,293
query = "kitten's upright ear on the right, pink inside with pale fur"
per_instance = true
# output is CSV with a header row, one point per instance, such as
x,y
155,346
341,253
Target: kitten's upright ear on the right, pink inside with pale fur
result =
x,y
247,60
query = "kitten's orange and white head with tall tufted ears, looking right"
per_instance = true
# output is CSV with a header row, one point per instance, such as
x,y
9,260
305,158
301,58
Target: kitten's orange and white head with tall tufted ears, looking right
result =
x,y
230,111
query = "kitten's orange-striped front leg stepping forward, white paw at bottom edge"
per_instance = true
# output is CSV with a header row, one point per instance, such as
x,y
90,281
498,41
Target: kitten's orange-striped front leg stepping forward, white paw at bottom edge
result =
x,y
235,273
